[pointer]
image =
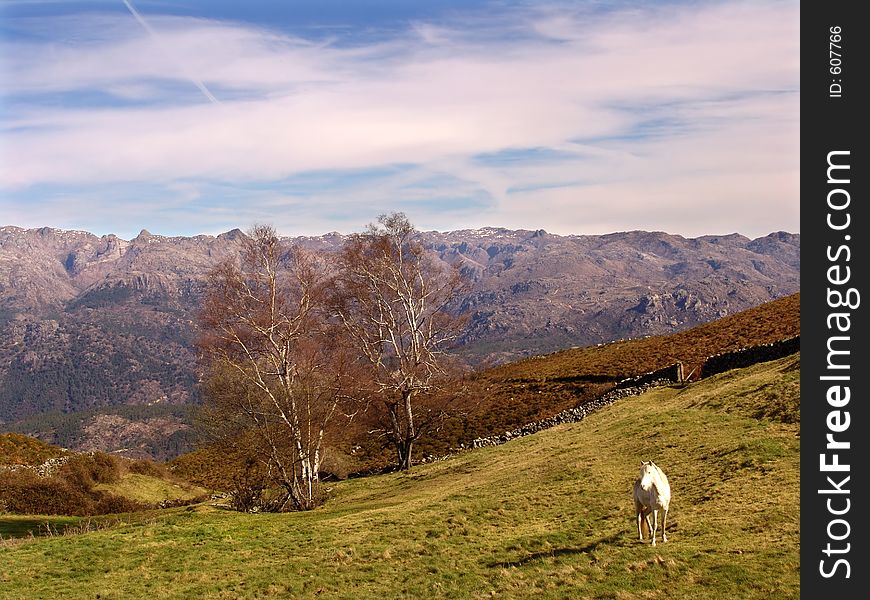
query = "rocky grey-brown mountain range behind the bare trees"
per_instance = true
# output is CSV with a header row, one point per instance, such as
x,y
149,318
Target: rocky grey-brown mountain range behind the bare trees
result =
x,y
96,332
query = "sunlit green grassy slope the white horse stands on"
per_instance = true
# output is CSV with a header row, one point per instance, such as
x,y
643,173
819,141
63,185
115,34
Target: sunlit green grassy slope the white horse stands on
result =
x,y
544,516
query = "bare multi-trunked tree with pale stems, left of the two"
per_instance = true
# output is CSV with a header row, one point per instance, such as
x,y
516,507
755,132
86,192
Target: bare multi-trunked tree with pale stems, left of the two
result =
x,y
278,372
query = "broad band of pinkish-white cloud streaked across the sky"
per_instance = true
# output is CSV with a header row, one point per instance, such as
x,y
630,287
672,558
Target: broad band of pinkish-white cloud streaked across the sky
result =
x,y
721,78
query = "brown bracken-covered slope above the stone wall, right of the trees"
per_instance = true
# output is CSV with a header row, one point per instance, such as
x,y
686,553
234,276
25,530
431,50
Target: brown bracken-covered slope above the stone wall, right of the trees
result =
x,y
535,388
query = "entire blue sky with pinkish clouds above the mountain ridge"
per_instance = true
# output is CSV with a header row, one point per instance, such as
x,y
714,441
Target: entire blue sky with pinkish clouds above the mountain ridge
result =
x,y
186,117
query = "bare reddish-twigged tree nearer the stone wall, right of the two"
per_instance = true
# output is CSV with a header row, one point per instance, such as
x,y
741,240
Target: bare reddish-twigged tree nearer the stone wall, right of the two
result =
x,y
393,303
